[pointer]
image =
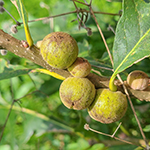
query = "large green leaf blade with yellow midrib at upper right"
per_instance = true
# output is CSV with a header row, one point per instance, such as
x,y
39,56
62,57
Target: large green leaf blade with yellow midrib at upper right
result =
x,y
132,40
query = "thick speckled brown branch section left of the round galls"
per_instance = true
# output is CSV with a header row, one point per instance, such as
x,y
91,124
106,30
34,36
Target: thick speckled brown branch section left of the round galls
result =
x,y
15,46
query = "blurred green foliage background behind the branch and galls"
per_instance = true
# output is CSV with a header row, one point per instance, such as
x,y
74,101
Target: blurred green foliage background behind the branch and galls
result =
x,y
38,119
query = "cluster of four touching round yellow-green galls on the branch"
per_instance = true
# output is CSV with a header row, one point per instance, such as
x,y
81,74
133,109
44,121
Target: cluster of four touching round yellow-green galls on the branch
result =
x,y
60,50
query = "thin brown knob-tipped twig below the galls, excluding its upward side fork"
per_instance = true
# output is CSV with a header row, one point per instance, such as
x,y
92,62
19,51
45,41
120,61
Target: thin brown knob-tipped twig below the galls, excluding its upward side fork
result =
x,y
87,127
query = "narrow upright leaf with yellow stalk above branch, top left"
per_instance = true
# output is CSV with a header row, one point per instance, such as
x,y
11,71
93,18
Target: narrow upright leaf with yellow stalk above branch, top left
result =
x,y
24,16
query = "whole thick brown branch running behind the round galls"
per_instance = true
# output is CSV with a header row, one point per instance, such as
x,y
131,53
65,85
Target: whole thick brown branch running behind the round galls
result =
x,y
15,46
